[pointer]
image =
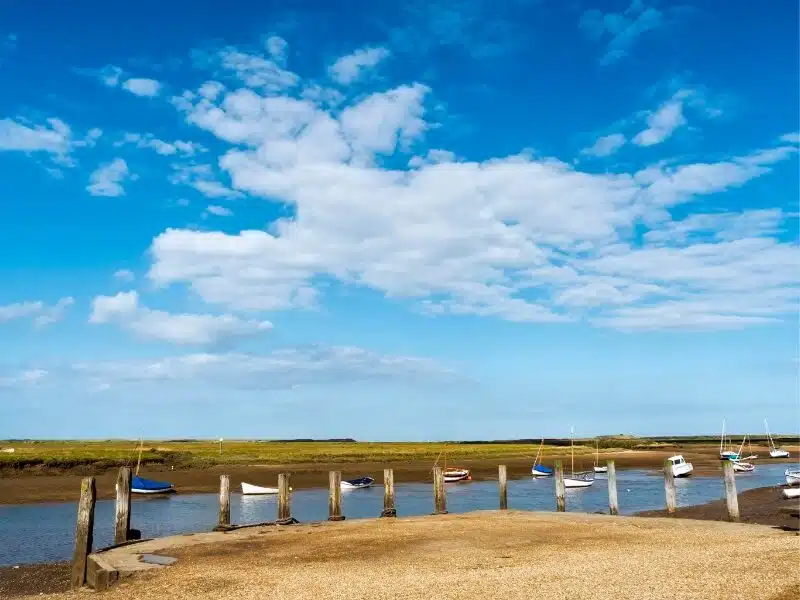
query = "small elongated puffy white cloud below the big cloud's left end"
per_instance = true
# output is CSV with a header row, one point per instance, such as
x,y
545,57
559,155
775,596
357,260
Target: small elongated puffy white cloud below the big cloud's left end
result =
x,y
185,329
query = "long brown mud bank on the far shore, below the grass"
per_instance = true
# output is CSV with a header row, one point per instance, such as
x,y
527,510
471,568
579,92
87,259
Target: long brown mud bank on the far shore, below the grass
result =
x,y
23,487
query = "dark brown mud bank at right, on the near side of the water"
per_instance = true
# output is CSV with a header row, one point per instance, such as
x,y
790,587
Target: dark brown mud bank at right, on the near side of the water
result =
x,y
762,506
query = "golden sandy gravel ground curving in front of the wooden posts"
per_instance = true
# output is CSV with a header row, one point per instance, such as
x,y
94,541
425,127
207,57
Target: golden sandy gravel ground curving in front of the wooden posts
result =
x,y
510,555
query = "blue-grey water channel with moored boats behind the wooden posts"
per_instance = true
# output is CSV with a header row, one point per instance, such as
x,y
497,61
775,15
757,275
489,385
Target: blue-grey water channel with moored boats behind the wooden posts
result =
x,y
44,532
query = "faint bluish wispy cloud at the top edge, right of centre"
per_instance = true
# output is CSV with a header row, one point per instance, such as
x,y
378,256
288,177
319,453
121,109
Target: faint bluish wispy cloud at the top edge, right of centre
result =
x,y
620,31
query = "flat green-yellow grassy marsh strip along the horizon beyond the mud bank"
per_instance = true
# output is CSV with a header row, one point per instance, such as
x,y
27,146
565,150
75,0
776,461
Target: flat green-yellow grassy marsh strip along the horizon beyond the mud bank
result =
x,y
202,453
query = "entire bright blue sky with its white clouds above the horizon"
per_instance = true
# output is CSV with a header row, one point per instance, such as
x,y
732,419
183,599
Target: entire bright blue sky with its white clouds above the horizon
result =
x,y
425,221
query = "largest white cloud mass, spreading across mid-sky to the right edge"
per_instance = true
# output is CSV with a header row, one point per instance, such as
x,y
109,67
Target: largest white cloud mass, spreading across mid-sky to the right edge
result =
x,y
521,237
